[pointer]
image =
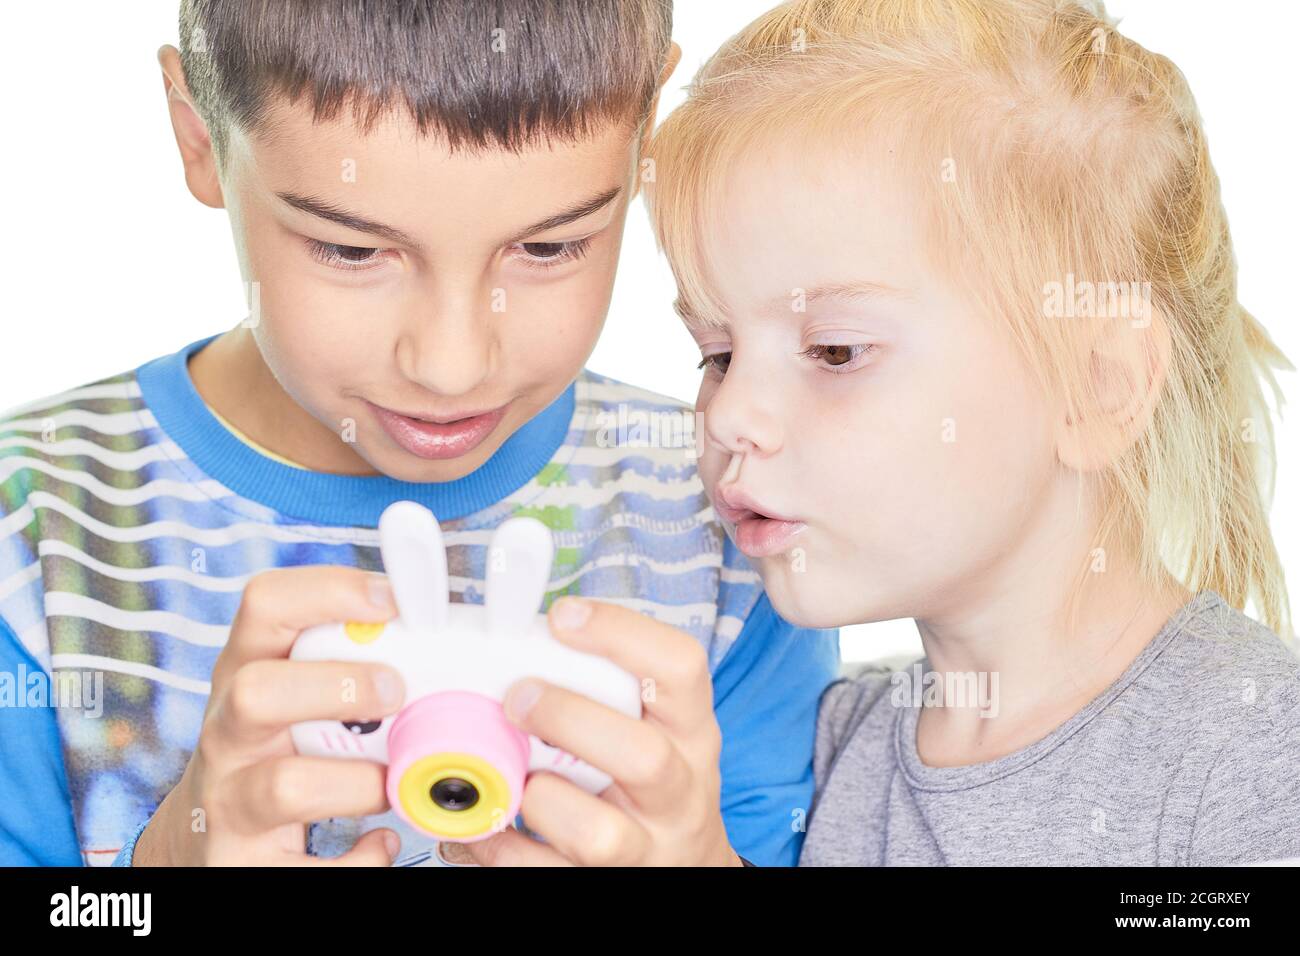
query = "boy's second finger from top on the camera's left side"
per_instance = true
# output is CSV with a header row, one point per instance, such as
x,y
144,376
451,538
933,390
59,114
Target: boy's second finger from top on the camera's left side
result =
x,y
266,697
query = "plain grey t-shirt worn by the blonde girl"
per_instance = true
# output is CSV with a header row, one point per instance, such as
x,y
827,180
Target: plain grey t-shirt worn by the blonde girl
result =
x,y
1190,758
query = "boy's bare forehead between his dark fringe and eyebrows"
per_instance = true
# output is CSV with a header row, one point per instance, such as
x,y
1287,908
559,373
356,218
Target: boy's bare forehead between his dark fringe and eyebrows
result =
x,y
397,174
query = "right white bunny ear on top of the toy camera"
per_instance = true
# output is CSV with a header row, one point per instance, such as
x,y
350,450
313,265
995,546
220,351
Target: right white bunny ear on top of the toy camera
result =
x,y
519,568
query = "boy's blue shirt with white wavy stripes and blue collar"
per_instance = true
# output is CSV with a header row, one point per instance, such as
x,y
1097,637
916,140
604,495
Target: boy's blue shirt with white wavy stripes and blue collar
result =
x,y
131,521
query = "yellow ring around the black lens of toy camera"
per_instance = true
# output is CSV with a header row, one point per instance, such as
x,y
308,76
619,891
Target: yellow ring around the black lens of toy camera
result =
x,y
489,814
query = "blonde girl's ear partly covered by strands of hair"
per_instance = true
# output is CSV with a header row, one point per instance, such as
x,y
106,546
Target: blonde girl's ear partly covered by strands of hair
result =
x,y
1125,367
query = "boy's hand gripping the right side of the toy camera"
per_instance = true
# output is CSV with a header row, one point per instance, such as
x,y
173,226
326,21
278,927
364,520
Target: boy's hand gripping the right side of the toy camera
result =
x,y
664,808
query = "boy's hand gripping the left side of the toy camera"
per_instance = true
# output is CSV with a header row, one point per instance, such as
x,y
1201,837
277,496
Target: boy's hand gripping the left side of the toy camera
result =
x,y
246,797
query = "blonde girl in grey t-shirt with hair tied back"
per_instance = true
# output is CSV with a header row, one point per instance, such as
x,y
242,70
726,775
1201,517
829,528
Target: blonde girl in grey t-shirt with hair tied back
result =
x,y
967,300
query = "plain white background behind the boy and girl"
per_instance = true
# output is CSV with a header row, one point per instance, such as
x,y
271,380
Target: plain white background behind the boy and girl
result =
x,y
110,262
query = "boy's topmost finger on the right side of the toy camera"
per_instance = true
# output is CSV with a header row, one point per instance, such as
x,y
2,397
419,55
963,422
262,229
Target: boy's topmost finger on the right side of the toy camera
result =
x,y
681,693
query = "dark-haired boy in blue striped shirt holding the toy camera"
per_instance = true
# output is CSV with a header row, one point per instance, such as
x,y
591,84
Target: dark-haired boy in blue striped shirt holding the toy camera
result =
x,y
427,206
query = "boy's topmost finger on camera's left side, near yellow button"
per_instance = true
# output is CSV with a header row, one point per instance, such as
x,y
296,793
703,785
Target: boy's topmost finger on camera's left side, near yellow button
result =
x,y
278,605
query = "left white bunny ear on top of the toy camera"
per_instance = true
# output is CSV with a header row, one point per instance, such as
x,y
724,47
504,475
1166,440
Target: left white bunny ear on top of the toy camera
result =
x,y
415,561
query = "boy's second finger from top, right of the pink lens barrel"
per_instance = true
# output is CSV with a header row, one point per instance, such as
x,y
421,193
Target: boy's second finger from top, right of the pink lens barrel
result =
x,y
639,755
